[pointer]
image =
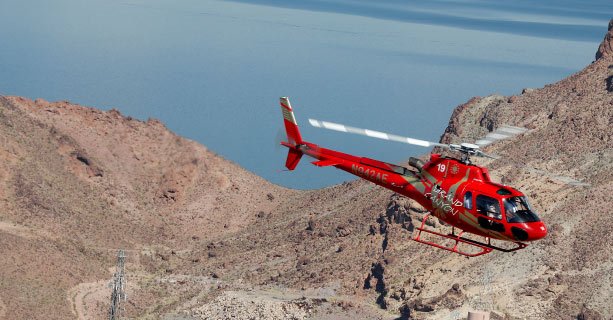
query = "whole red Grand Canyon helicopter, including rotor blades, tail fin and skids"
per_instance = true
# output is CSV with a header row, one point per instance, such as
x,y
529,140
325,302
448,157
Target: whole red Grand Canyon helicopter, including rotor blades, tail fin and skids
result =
x,y
454,190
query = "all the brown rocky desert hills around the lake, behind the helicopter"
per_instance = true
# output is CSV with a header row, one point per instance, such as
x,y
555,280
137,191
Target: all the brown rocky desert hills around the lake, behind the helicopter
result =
x,y
206,239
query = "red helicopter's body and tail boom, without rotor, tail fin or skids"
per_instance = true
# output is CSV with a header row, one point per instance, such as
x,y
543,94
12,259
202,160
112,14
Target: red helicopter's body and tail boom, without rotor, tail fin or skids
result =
x,y
459,194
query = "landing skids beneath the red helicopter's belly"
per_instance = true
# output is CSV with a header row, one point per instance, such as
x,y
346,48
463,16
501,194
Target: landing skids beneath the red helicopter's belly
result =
x,y
484,247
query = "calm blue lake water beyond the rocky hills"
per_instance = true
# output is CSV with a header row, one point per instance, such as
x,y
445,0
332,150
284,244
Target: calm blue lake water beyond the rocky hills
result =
x,y
213,70
